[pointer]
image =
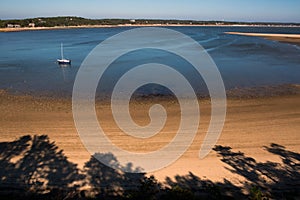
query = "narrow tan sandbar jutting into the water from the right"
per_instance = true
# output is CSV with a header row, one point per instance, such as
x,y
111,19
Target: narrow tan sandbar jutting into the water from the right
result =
x,y
287,38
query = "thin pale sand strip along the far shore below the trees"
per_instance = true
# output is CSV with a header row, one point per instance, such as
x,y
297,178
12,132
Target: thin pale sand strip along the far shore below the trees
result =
x,y
136,25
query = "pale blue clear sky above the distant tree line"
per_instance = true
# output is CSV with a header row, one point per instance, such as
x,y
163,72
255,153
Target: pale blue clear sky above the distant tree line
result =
x,y
228,10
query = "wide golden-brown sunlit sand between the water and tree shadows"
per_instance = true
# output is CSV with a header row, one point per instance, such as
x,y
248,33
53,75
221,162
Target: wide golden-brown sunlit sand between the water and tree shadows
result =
x,y
251,123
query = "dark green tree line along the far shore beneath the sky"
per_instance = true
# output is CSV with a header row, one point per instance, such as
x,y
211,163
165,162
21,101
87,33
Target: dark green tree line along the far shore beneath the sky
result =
x,y
79,21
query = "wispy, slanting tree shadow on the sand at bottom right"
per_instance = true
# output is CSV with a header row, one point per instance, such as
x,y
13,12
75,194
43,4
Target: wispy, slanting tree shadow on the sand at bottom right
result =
x,y
271,179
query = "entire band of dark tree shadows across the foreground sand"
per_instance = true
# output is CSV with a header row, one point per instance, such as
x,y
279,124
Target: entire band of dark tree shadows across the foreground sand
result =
x,y
35,168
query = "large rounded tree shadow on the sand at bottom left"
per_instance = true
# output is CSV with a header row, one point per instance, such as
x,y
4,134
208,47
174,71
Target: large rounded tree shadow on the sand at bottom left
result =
x,y
33,165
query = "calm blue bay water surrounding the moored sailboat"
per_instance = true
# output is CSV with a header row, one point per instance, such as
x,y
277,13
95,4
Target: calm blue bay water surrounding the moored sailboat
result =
x,y
27,59
